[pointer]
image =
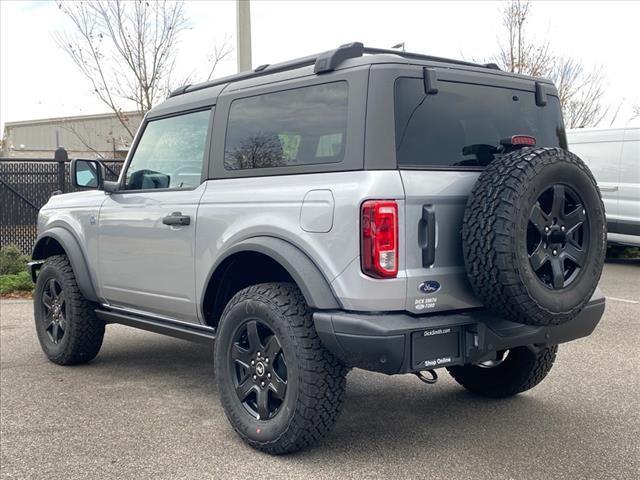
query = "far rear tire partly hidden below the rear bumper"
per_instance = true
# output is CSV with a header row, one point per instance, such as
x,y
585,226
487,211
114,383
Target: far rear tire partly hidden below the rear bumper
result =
x,y
520,371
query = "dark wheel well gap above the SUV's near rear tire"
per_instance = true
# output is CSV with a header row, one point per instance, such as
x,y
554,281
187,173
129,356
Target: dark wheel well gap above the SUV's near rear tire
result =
x,y
236,272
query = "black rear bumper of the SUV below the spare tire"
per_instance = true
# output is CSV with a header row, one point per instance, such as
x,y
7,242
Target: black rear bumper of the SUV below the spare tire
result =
x,y
400,343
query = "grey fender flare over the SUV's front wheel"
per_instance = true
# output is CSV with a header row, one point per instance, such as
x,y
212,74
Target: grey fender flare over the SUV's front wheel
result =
x,y
75,255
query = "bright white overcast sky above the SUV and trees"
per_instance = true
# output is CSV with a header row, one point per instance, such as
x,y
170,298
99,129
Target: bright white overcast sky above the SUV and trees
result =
x,y
38,80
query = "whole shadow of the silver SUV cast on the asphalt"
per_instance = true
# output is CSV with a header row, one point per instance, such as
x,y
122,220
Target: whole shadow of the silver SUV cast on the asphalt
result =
x,y
379,410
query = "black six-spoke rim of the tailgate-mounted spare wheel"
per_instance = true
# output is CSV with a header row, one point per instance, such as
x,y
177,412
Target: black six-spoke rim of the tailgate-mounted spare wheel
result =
x,y
557,237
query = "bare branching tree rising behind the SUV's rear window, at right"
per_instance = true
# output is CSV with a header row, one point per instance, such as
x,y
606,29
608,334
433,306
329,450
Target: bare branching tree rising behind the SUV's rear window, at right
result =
x,y
580,91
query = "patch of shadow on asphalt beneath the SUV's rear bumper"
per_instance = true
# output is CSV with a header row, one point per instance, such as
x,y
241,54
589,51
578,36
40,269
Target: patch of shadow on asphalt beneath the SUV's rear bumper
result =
x,y
439,418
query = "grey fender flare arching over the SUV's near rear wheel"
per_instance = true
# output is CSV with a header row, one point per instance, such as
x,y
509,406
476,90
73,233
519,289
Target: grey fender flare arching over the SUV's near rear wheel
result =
x,y
314,286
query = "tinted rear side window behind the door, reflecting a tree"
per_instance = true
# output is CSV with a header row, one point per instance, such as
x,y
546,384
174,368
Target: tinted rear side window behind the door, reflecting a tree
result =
x,y
304,126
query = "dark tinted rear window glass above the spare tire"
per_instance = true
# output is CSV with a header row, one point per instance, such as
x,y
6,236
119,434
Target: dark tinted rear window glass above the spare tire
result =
x,y
433,130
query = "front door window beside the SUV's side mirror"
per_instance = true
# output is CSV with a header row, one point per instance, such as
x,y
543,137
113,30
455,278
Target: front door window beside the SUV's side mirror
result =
x,y
170,153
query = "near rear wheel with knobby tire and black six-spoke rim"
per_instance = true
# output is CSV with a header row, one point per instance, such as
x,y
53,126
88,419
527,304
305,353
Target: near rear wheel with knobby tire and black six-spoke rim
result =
x,y
279,387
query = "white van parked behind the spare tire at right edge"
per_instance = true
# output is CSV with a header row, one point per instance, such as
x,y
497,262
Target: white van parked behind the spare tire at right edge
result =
x,y
613,155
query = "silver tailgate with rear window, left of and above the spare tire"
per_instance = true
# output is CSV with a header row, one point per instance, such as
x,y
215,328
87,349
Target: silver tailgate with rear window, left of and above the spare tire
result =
x,y
444,137
